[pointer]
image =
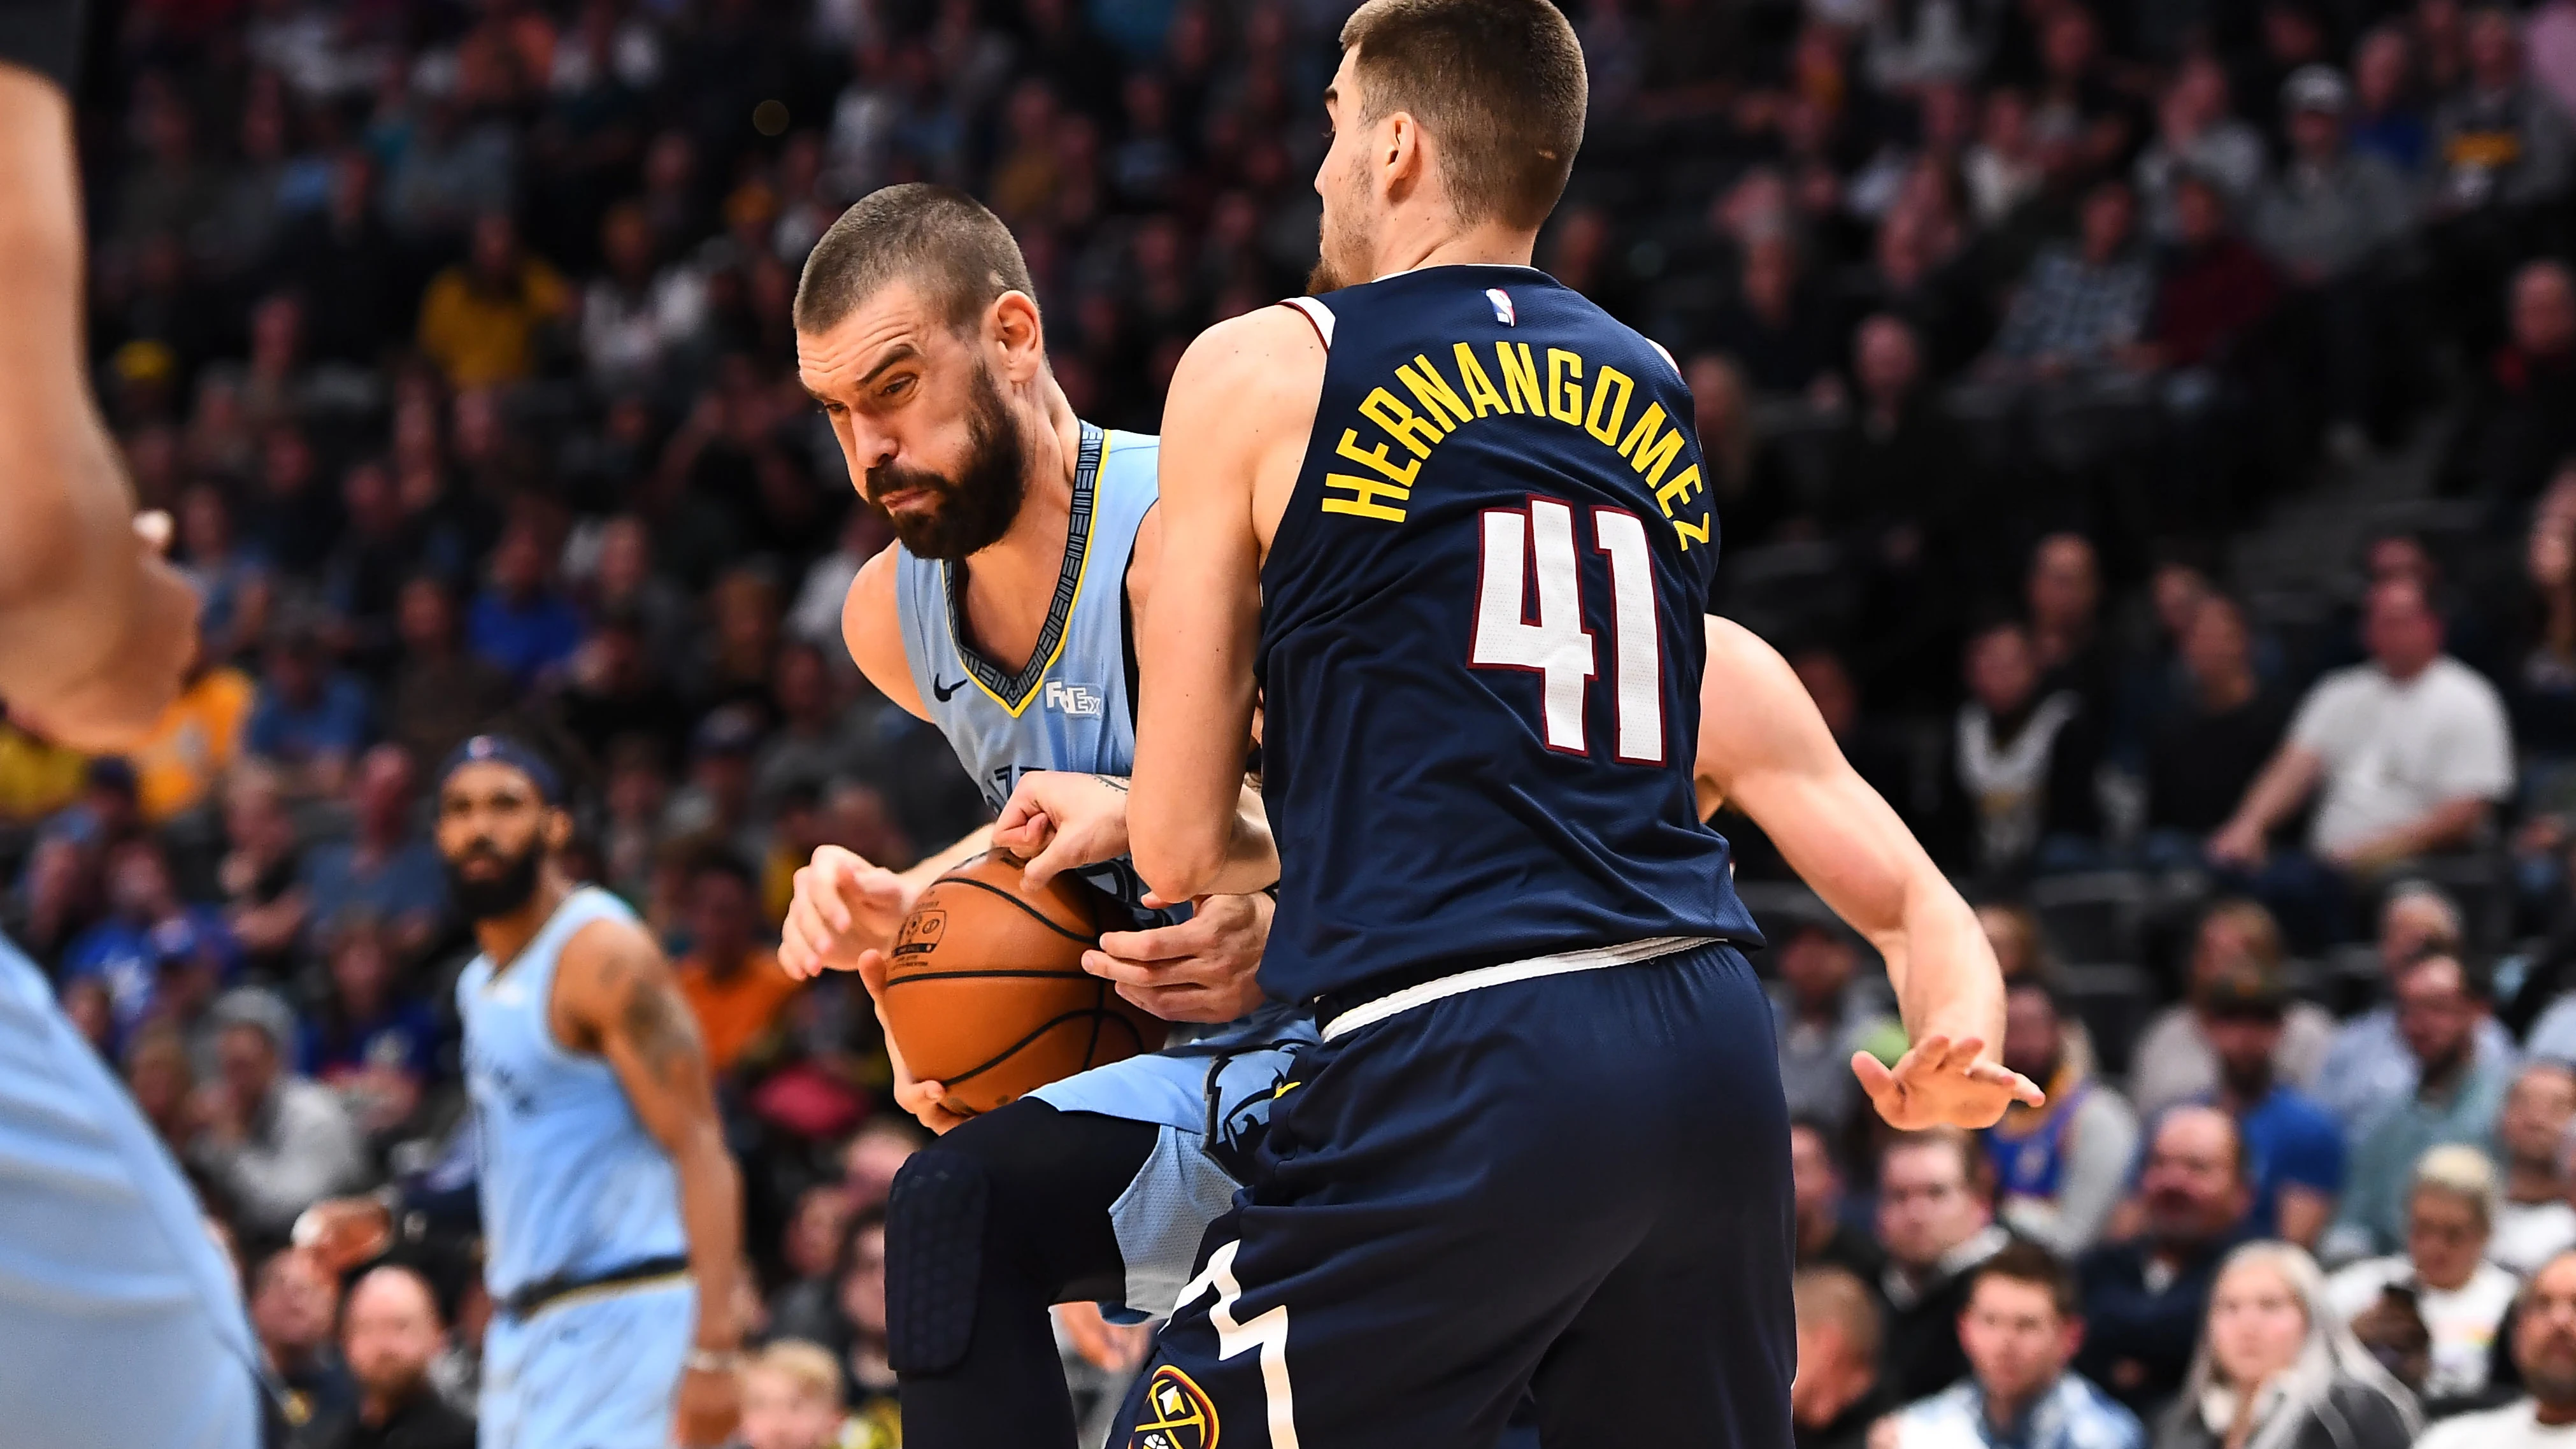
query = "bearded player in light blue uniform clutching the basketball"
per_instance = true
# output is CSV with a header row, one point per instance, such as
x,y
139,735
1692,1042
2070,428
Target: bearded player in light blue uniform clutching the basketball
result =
x,y
1027,544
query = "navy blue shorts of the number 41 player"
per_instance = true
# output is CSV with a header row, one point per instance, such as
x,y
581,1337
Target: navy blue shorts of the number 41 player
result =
x,y
1565,1193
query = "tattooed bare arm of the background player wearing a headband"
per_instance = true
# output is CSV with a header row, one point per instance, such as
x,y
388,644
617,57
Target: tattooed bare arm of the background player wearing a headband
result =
x,y
625,1005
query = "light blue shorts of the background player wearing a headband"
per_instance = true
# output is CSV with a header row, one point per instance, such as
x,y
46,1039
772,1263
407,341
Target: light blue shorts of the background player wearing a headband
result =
x,y
589,1371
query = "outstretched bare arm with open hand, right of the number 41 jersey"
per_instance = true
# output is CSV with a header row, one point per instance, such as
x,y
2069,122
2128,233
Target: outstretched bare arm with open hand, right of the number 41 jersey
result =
x,y
1768,753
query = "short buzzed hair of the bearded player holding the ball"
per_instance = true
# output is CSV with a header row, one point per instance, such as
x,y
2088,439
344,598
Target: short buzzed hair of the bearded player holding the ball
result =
x,y
934,238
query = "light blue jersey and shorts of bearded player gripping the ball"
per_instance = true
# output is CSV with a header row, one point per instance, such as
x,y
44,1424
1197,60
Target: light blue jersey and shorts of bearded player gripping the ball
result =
x,y
1075,709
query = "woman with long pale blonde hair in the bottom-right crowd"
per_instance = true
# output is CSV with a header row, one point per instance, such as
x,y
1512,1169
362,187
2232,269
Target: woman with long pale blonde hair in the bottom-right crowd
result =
x,y
2278,1368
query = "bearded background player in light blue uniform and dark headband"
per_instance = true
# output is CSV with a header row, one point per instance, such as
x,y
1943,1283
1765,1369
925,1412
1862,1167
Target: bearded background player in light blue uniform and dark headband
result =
x,y
612,1208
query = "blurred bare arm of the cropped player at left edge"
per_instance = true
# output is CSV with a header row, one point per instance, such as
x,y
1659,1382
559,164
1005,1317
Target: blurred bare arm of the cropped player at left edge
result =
x,y
94,627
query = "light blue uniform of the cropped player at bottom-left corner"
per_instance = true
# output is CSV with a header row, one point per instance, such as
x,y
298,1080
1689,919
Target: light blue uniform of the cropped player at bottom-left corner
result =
x,y
120,1319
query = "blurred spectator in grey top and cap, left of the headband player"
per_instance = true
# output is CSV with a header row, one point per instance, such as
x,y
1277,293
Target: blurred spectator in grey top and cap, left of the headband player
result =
x,y
269,1139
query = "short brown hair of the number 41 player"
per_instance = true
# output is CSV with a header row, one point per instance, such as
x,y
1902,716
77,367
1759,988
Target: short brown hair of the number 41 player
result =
x,y
1501,84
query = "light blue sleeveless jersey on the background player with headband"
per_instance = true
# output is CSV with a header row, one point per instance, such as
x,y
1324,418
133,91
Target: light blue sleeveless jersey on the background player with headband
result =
x,y
573,1185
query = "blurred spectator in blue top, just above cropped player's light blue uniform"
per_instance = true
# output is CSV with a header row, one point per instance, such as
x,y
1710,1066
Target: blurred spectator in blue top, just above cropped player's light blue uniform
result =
x,y
156,956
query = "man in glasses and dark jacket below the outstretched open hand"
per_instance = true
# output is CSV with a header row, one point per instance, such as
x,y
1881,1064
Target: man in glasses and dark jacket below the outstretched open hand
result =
x,y
1938,1224
